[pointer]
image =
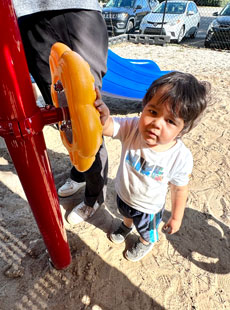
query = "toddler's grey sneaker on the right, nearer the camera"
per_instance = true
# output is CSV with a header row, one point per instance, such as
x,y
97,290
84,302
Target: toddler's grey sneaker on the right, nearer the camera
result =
x,y
138,251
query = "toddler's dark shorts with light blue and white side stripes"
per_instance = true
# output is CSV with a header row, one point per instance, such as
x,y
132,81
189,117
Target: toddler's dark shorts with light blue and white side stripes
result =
x,y
146,224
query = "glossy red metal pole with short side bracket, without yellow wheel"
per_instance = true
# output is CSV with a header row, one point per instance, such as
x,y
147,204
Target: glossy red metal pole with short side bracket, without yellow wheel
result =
x,y
21,124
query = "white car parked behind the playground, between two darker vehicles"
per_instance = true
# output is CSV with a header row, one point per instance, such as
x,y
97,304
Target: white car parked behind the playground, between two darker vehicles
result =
x,y
176,19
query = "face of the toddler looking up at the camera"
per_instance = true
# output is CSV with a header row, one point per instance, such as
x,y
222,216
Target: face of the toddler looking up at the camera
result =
x,y
157,125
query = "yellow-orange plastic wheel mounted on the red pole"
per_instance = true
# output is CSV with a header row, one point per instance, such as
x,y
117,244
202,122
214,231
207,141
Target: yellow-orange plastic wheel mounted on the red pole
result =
x,y
71,73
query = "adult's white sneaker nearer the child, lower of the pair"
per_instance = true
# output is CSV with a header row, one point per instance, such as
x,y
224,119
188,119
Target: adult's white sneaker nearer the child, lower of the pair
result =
x,y
82,213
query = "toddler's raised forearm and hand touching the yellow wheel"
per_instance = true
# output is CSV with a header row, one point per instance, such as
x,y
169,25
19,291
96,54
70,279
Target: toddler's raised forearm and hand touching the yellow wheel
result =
x,y
106,119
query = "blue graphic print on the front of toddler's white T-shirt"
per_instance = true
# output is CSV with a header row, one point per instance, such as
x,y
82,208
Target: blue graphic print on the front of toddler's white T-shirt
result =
x,y
142,166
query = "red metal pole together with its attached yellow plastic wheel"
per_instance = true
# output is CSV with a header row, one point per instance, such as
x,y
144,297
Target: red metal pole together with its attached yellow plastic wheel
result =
x,y
22,122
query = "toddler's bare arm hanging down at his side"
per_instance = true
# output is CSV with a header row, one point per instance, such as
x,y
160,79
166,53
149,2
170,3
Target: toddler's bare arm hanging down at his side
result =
x,y
179,195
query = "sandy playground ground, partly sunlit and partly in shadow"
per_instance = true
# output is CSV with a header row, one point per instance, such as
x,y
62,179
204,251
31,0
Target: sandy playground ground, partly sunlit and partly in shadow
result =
x,y
185,271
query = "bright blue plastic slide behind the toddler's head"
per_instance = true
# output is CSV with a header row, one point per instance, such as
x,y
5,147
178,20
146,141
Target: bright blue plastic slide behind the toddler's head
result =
x,y
129,78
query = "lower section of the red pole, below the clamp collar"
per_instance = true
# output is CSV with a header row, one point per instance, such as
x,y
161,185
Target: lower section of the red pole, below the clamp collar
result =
x,y
32,164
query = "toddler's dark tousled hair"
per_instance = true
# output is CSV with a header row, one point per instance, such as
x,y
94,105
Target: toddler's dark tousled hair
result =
x,y
186,96
